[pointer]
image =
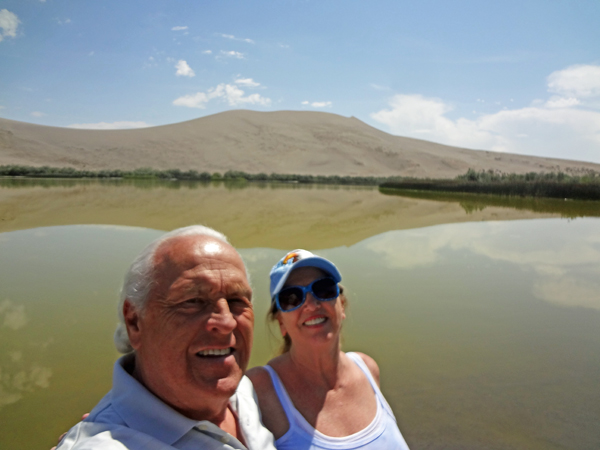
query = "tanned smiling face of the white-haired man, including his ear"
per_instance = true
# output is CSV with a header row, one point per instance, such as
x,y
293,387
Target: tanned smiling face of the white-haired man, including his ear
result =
x,y
193,340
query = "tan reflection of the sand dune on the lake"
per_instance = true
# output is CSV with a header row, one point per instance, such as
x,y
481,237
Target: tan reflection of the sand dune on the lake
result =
x,y
286,218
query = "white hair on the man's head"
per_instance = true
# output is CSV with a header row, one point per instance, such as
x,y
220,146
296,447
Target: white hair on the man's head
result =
x,y
140,278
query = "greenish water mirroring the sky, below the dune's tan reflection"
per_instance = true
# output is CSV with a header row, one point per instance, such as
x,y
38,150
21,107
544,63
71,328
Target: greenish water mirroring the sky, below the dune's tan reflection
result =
x,y
486,333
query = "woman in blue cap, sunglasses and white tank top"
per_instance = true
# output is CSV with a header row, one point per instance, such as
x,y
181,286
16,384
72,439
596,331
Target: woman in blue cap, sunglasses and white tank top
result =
x,y
314,396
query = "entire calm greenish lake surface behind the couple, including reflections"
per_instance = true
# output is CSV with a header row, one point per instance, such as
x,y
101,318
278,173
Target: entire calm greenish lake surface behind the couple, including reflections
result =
x,y
484,315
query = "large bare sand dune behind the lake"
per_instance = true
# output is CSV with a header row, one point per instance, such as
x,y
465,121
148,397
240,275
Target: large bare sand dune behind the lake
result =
x,y
282,142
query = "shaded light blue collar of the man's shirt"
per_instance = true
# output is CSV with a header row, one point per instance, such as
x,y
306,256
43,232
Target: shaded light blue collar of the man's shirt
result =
x,y
142,410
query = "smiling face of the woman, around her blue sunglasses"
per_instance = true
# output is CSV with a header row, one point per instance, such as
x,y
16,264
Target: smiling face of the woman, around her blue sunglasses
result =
x,y
315,322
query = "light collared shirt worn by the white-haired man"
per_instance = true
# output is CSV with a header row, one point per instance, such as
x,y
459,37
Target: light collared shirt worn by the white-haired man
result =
x,y
131,417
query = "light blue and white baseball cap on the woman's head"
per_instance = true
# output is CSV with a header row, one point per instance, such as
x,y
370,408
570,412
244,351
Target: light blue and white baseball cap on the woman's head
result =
x,y
295,259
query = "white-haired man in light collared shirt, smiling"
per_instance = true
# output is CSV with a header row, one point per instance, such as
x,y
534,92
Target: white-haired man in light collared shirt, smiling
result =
x,y
186,323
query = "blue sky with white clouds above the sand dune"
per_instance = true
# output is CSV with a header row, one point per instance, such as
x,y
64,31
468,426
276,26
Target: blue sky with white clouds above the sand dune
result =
x,y
508,76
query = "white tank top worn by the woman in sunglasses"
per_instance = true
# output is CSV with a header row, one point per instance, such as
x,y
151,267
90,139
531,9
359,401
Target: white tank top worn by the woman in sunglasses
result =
x,y
382,433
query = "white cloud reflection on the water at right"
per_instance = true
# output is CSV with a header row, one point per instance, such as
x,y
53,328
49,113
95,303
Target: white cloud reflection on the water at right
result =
x,y
561,257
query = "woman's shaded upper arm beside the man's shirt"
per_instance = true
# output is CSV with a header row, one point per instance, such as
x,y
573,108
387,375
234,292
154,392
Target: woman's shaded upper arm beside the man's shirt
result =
x,y
273,415
